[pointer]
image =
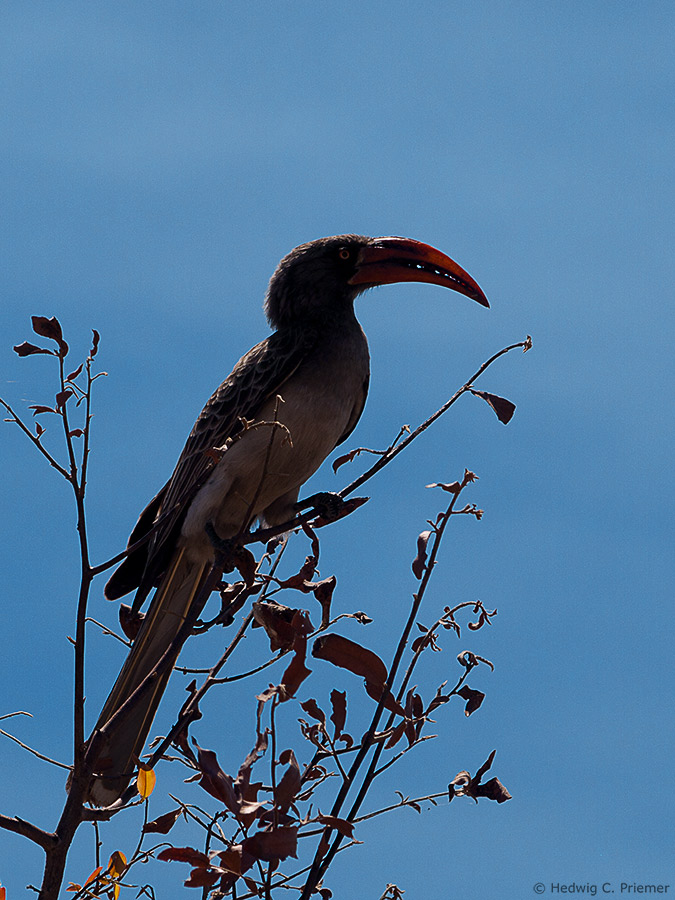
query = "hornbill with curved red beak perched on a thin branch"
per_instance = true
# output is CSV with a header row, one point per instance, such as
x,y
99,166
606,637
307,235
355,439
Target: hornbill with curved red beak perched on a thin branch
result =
x,y
311,375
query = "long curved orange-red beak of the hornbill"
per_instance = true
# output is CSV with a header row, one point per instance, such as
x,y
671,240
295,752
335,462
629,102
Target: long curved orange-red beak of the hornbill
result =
x,y
389,260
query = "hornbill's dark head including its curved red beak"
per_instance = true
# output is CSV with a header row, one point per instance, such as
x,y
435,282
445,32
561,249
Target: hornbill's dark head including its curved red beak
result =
x,y
317,280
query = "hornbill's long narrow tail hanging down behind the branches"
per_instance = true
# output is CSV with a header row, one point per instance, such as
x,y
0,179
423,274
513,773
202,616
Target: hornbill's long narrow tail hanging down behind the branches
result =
x,y
124,739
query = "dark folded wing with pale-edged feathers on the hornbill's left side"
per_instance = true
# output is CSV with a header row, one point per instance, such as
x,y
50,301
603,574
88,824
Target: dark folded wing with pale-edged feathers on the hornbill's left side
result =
x,y
258,375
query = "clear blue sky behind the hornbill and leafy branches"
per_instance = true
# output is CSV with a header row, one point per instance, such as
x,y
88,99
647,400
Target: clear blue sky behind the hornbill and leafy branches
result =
x,y
158,160
